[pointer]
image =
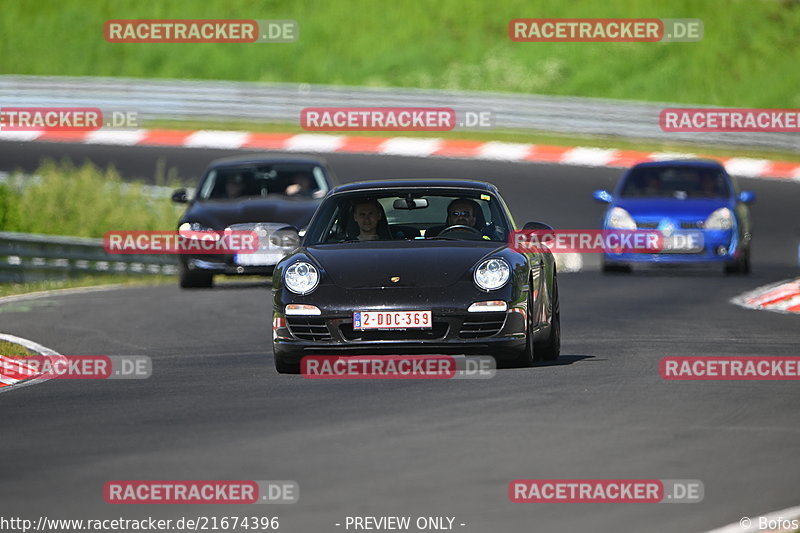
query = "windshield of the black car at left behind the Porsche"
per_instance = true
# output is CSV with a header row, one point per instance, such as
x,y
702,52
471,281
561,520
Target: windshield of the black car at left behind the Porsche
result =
x,y
293,180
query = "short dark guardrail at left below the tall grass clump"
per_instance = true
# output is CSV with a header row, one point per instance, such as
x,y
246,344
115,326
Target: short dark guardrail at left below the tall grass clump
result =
x,y
26,257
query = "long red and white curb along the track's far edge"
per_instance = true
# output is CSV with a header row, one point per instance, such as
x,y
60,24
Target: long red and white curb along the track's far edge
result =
x,y
402,146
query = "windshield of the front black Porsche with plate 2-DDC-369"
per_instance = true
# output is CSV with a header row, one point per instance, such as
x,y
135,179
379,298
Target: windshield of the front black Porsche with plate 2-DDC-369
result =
x,y
408,216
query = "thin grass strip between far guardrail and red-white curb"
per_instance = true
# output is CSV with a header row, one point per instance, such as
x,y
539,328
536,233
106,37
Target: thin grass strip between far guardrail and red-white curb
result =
x,y
511,136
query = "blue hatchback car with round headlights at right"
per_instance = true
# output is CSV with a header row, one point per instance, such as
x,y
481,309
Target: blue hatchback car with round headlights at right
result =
x,y
696,205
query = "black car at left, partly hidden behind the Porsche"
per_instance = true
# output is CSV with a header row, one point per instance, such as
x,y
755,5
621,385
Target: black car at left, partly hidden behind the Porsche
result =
x,y
273,196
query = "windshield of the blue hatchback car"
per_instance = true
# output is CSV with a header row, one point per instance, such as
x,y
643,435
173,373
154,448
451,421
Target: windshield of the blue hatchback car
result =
x,y
675,182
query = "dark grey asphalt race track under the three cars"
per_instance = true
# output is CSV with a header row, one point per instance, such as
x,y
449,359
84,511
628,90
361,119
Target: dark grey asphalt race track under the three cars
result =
x,y
215,408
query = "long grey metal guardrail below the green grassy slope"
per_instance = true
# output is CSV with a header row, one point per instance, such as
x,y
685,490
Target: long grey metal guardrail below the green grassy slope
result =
x,y
282,102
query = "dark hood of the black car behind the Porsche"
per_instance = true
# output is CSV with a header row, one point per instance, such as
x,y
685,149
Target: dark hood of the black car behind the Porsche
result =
x,y
221,214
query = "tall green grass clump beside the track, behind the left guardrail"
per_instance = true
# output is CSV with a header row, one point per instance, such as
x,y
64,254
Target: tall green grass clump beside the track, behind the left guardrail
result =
x,y
83,201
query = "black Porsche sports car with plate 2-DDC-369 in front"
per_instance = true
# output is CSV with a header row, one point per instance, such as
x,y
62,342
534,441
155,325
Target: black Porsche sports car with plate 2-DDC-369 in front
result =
x,y
414,266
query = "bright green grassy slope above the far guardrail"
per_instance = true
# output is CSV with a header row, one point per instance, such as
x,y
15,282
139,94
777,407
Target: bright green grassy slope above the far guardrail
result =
x,y
748,57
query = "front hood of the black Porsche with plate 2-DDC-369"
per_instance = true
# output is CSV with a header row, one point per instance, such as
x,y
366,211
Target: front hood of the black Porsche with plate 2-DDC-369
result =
x,y
417,263
